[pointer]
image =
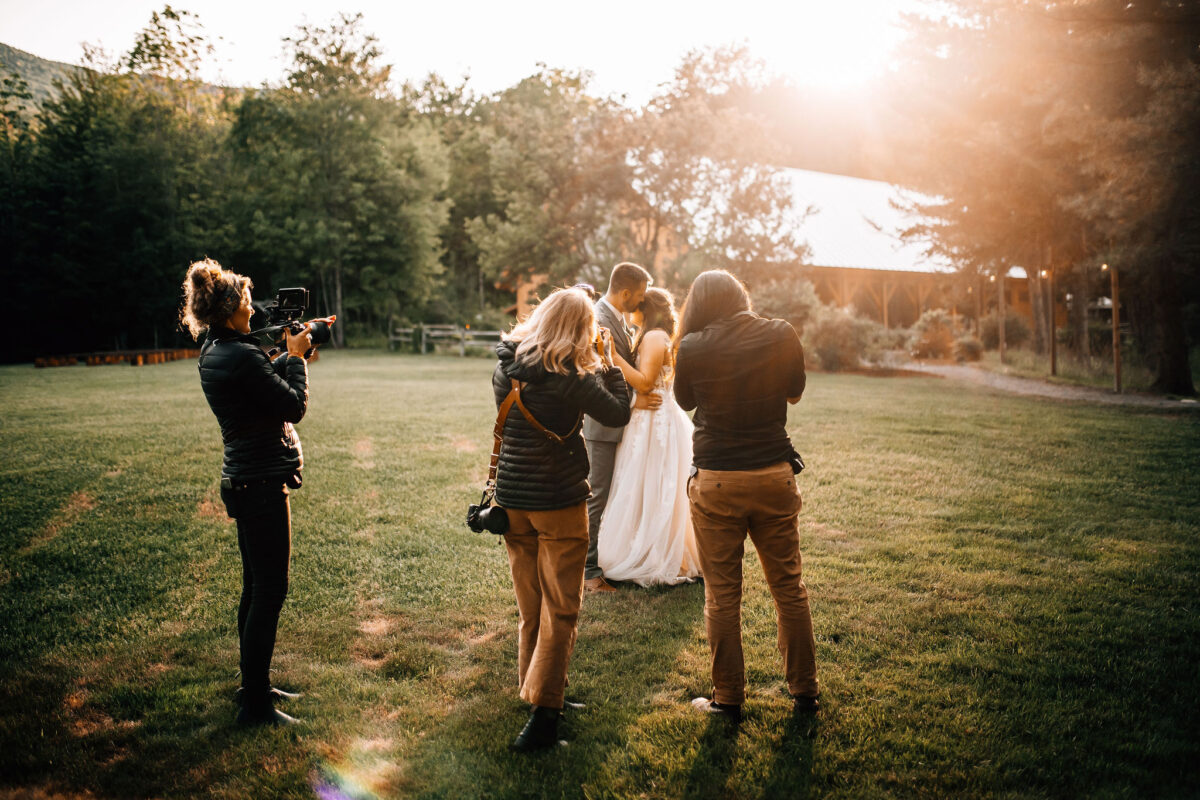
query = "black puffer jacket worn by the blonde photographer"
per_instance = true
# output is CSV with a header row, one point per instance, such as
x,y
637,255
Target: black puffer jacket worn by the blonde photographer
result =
x,y
537,473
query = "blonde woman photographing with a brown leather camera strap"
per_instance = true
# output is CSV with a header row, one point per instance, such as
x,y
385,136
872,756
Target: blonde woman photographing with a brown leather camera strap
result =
x,y
561,365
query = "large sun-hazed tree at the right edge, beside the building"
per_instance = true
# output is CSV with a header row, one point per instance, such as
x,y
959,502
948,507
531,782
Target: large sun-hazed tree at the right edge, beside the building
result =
x,y
1063,137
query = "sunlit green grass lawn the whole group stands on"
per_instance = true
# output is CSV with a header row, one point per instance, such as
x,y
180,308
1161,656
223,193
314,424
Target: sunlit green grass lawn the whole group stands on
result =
x,y
1005,594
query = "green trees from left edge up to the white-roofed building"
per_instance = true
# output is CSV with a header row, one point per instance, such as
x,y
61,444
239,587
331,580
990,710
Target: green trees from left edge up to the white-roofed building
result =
x,y
429,202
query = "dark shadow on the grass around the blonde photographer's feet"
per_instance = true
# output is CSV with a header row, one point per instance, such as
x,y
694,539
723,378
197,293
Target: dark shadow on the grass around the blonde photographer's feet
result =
x,y
626,663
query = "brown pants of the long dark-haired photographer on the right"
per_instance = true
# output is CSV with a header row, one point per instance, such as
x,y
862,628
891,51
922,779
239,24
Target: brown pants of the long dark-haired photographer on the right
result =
x,y
765,503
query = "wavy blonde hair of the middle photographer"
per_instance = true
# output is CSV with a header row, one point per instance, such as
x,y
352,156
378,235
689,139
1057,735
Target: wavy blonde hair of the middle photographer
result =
x,y
561,333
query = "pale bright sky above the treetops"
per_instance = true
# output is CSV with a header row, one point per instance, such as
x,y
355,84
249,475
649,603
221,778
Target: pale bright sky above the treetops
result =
x,y
629,46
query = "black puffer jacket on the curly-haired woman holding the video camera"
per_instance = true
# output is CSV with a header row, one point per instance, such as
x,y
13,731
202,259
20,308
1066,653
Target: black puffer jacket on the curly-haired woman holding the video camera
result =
x,y
255,402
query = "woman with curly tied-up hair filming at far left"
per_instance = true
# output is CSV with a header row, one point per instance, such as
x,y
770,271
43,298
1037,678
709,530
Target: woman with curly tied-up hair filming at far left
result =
x,y
256,402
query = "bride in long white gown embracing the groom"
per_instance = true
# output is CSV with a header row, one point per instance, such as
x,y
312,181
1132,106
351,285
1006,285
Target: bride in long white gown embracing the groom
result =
x,y
646,534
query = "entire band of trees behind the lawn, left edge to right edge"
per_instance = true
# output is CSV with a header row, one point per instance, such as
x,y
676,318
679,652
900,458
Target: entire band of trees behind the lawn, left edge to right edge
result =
x,y
1057,139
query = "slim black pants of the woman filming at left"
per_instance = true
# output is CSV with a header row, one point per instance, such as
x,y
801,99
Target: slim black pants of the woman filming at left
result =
x,y
265,538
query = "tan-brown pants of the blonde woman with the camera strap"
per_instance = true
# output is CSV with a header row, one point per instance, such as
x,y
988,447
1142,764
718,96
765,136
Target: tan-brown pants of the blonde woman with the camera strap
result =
x,y
547,555
